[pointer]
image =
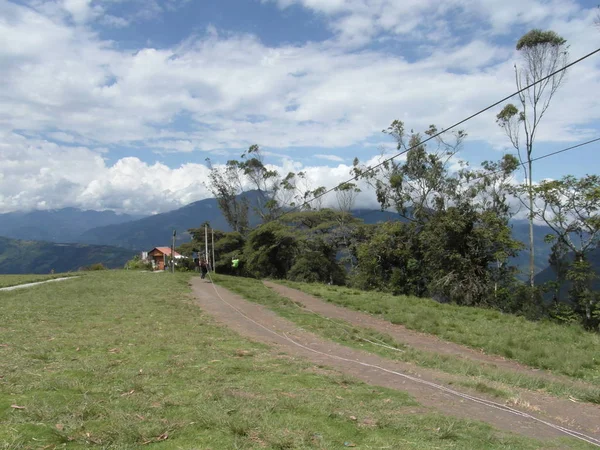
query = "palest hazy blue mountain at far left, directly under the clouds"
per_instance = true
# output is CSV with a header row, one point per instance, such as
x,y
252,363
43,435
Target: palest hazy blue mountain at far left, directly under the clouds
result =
x,y
61,225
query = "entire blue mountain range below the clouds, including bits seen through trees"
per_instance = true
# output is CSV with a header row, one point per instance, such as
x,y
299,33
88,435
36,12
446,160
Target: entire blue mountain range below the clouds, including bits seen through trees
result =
x,y
134,234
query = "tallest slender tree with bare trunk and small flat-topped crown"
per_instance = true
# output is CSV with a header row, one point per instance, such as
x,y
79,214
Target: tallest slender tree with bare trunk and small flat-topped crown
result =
x,y
542,53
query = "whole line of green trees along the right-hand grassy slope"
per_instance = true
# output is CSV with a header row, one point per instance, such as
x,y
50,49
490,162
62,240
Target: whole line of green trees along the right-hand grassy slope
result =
x,y
453,242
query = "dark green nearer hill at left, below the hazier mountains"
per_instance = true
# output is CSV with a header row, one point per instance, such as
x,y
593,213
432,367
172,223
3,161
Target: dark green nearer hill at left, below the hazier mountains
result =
x,y
18,256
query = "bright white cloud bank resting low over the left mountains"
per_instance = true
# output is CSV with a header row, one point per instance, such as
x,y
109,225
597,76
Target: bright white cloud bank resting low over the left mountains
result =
x,y
41,175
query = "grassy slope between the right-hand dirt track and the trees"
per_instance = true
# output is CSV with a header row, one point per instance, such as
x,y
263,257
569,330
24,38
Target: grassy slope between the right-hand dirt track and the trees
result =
x,y
564,349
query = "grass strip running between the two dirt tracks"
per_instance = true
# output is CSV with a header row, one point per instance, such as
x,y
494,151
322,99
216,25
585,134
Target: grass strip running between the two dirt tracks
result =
x,y
479,376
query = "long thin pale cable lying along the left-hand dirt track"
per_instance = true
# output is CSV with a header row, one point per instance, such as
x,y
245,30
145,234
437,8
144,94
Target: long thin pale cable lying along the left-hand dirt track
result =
x,y
488,403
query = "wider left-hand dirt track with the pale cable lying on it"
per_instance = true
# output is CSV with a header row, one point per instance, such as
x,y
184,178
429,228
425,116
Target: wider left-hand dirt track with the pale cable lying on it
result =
x,y
260,324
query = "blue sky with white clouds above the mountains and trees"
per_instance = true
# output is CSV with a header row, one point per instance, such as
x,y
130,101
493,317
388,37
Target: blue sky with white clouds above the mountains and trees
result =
x,y
116,104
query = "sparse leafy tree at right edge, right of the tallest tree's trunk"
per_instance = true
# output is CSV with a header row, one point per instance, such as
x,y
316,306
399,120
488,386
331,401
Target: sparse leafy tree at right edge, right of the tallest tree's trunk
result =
x,y
571,208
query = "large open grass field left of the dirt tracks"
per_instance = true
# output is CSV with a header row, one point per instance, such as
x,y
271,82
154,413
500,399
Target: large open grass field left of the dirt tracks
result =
x,y
121,359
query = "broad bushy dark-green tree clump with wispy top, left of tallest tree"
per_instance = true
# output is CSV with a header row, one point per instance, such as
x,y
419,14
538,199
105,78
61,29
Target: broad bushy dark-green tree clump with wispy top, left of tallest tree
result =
x,y
458,244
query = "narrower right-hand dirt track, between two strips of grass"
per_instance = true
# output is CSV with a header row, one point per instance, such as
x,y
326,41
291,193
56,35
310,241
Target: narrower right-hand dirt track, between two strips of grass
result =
x,y
415,339
